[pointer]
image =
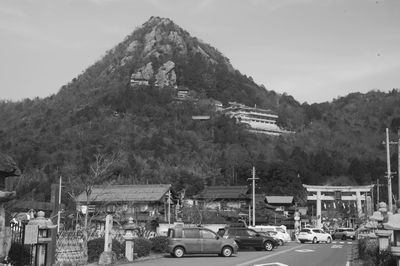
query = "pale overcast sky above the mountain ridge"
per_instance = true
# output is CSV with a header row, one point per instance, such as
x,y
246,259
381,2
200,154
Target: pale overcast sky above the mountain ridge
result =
x,y
314,50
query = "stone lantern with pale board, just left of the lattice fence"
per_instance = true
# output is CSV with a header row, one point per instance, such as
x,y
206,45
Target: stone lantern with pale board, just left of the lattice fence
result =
x,y
44,231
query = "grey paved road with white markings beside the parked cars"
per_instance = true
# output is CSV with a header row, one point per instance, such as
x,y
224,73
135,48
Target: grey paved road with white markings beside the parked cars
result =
x,y
294,254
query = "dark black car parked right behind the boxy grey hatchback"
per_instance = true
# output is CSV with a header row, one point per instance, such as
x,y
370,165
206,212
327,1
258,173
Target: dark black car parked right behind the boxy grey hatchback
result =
x,y
248,238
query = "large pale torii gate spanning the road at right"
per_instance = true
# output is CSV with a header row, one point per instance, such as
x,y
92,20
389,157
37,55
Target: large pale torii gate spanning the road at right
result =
x,y
331,193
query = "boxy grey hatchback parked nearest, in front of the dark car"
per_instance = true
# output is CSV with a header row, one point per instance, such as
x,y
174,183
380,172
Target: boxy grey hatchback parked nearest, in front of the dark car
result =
x,y
183,241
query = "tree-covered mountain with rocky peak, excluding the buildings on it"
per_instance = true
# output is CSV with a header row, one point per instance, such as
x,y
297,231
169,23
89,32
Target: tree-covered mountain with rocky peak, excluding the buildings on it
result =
x,y
154,140
